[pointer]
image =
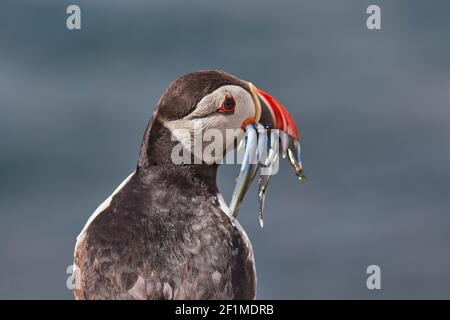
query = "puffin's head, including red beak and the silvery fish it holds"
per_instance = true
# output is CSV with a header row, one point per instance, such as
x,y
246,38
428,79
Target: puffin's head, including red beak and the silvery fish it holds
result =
x,y
213,107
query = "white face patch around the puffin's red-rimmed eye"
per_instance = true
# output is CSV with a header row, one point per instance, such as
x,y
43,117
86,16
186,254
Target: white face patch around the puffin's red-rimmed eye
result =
x,y
208,119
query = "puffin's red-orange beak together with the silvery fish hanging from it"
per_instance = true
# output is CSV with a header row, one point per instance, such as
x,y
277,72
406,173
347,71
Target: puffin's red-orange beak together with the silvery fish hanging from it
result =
x,y
270,131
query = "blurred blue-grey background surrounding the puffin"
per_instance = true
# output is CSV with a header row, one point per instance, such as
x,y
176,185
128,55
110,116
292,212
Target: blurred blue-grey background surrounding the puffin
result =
x,y
372,106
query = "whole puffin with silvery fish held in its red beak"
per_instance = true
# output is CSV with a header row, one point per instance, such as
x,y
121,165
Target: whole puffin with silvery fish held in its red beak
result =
x,y
166,232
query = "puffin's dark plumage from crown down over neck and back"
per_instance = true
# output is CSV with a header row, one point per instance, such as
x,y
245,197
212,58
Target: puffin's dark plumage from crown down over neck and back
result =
x,y
163,235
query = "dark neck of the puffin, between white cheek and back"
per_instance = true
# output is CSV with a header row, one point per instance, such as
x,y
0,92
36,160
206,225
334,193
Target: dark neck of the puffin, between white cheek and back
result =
x,y
155,158
